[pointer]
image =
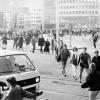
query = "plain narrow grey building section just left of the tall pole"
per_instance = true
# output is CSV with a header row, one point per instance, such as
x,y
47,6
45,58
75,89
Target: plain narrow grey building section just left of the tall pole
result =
x,y
49,14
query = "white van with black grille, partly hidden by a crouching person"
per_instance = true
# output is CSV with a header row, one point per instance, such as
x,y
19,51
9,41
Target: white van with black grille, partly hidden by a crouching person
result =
x,y
18,64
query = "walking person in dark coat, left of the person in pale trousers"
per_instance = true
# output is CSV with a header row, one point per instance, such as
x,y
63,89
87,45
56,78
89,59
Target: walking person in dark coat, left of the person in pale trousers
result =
x,y
64,54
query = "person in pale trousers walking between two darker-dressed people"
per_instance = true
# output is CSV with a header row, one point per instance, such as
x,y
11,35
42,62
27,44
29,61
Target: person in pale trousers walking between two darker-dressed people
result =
x,y
74,62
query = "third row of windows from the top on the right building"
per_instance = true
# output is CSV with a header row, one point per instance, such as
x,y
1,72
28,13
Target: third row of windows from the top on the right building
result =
x,y
78,12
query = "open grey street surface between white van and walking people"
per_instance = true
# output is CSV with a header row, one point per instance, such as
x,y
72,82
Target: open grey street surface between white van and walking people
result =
x,y
55,86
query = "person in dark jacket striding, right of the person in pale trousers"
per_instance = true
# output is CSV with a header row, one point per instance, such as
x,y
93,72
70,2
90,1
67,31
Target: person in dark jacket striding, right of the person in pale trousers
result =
x,y
84,61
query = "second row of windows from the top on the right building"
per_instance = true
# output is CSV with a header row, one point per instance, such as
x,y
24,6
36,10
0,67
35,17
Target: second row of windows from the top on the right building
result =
x,y
79,7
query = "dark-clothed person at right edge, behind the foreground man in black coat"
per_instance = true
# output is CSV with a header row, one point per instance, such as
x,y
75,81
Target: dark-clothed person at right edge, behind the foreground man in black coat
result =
x,y
96,60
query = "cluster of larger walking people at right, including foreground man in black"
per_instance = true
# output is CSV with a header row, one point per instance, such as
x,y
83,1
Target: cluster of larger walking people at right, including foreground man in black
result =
x,y
85,61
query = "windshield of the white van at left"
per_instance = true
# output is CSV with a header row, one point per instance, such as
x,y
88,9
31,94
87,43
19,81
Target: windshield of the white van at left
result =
x,y
15,63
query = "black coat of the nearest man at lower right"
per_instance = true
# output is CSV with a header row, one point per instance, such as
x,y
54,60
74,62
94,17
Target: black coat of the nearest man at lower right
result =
x,y
92,81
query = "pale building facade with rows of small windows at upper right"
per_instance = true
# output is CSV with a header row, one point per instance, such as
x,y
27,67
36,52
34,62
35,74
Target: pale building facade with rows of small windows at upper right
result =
x,y
79,13
